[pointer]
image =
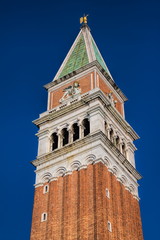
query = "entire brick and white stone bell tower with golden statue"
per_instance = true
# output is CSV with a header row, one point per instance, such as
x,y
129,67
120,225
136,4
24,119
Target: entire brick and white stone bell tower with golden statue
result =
x,y
86,181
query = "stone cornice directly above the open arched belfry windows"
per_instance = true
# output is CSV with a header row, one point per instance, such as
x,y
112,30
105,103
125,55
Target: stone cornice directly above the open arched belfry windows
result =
x,y
90,96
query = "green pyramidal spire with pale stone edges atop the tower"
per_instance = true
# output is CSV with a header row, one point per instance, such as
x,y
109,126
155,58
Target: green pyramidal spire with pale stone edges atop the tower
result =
x,y
83,51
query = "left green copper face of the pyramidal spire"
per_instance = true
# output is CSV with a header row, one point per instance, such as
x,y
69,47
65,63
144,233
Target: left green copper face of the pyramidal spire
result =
x,y
77,59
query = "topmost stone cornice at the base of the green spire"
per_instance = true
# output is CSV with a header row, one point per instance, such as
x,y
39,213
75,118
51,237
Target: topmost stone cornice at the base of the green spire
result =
x,y
89,65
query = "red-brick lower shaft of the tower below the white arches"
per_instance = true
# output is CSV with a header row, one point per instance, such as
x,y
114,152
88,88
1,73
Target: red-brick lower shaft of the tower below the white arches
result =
x,y
78,208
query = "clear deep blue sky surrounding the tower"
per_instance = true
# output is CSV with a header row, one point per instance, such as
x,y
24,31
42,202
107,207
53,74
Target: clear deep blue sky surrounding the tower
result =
x,y
35,37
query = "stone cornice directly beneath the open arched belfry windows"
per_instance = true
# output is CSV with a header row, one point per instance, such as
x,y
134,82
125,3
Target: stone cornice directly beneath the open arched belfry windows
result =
x,y
99,135
